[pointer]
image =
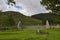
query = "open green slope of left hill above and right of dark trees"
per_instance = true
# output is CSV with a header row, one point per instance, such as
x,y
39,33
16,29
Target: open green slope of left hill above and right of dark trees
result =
x,y
20,17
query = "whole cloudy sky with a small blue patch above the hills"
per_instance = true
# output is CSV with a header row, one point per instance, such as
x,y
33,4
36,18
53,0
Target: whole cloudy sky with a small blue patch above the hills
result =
x,y
26,7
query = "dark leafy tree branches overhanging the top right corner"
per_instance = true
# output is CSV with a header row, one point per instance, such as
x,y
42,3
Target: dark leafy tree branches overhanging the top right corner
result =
x,y
53,5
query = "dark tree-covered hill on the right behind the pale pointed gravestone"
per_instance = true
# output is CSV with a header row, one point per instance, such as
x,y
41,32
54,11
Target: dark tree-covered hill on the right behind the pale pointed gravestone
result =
x,y
52,18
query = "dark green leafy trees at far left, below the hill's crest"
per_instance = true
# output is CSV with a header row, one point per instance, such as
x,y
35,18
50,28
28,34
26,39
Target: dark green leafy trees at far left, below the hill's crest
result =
x,y
7,20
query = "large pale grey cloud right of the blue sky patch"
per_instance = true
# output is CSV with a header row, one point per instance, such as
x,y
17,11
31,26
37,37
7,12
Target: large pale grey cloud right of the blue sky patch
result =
x,y
32,6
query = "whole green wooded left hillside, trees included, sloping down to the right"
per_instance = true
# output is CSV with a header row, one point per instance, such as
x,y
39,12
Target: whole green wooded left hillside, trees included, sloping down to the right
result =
x,y
11,18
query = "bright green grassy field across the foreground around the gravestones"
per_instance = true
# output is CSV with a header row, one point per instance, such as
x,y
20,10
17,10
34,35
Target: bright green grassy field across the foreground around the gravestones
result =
x,y
30,34
